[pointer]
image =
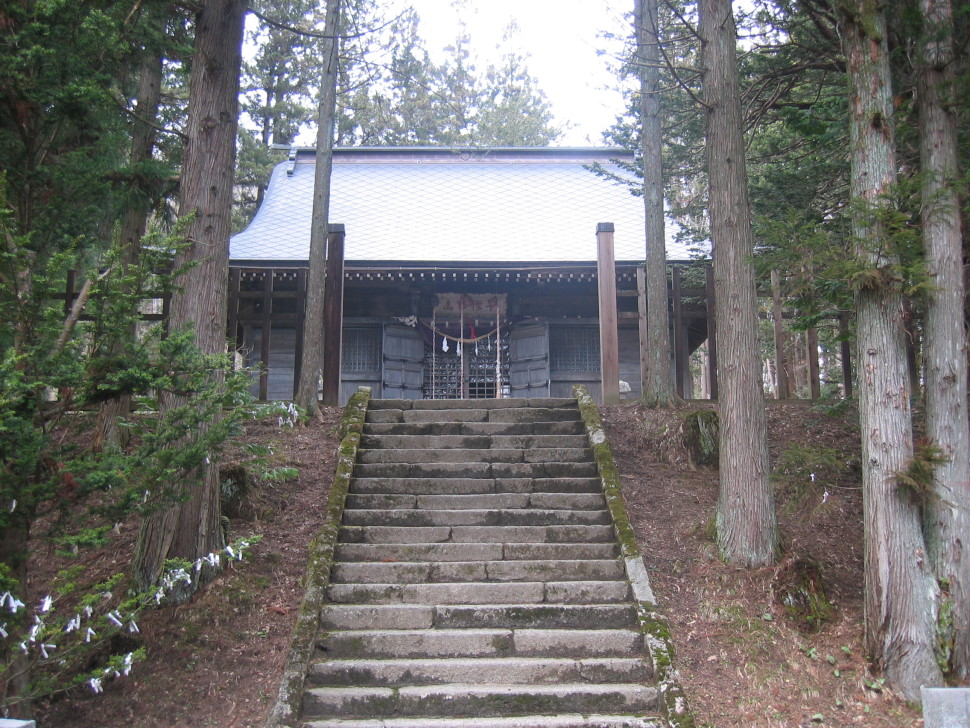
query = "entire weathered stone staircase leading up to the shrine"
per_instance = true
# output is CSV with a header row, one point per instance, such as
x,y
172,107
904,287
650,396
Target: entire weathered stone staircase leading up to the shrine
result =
x,y
477,581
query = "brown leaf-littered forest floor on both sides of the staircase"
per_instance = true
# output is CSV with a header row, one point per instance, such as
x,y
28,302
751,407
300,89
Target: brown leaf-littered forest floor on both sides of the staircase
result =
x,y
743,660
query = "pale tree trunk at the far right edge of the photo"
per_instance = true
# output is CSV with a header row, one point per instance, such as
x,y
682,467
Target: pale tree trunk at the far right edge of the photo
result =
x,y
947,515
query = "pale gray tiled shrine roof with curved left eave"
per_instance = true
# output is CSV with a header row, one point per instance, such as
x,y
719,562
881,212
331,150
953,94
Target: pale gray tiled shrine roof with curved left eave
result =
x,y
514,205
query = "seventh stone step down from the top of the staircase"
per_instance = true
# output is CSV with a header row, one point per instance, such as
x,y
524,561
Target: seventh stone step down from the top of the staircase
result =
x,y
472,486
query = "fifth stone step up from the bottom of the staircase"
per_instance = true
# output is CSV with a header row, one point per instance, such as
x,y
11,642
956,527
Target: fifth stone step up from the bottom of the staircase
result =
x,y
455,616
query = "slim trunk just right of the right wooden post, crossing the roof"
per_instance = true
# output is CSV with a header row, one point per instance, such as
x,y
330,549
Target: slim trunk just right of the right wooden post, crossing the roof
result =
x,y
659,388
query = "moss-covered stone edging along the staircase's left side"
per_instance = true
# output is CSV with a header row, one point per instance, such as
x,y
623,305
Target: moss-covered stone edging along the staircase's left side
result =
x,y
286,711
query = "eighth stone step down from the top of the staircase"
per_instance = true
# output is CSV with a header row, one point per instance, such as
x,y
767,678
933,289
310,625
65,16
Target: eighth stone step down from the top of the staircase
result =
x,y
560,501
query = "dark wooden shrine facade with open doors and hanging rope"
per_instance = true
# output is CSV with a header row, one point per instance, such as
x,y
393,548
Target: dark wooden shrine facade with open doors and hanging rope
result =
x,y
460,330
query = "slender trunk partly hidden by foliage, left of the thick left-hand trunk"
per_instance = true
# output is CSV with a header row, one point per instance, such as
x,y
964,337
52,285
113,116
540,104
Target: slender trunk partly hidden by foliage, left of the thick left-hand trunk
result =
x,y
107,431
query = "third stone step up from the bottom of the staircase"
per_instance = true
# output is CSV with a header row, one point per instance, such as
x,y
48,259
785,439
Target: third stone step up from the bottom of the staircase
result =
x,y
521,670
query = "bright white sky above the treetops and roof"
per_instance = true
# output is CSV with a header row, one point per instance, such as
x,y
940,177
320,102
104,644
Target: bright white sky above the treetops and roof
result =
x,y
562,39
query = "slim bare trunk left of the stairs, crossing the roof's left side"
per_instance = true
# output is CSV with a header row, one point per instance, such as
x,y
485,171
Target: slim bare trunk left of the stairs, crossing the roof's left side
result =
x,y
311,365
